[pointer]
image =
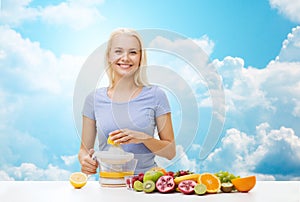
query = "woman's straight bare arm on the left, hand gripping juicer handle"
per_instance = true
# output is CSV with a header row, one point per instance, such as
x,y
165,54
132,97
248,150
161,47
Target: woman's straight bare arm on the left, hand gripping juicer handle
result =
x,y
88,165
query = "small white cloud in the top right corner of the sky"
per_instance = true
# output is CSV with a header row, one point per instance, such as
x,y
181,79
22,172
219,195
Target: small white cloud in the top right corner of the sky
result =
x,y
289,8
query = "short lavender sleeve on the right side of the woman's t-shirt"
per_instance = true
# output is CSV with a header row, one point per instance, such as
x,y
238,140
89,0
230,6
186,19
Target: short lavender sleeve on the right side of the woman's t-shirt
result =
x,y
162,103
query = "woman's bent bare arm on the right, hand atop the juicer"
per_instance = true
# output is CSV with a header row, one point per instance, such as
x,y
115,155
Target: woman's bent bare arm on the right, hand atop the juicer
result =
x,y
164,147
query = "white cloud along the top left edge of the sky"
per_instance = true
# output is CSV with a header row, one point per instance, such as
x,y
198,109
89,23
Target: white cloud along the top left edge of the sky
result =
x,y
76,14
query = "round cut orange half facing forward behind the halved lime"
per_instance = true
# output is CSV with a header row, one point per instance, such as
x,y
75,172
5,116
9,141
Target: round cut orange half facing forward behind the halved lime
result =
x,y
211,181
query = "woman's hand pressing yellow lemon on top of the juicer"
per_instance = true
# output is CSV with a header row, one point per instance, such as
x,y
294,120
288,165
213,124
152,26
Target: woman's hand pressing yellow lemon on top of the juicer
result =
x,y
126,136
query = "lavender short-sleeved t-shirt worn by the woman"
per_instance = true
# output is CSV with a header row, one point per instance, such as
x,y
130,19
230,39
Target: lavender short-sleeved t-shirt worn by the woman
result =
x,y
138,114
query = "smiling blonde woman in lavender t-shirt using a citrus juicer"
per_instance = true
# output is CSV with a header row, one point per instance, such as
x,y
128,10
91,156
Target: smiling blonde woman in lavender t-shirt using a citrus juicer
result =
x,y
129,110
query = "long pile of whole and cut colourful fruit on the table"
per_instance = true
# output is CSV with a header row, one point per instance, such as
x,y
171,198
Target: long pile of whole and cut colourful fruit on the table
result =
x,y
187,182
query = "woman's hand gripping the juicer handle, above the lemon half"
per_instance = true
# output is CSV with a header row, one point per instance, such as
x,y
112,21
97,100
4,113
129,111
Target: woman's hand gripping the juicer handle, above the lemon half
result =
x,y
88,164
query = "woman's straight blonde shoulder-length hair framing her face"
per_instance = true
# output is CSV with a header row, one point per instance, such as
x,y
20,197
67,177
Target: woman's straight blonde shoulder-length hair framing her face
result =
x,y
140,77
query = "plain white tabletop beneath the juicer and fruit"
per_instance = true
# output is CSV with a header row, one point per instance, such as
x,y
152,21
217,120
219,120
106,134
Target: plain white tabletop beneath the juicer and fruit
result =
x,y
44,191
